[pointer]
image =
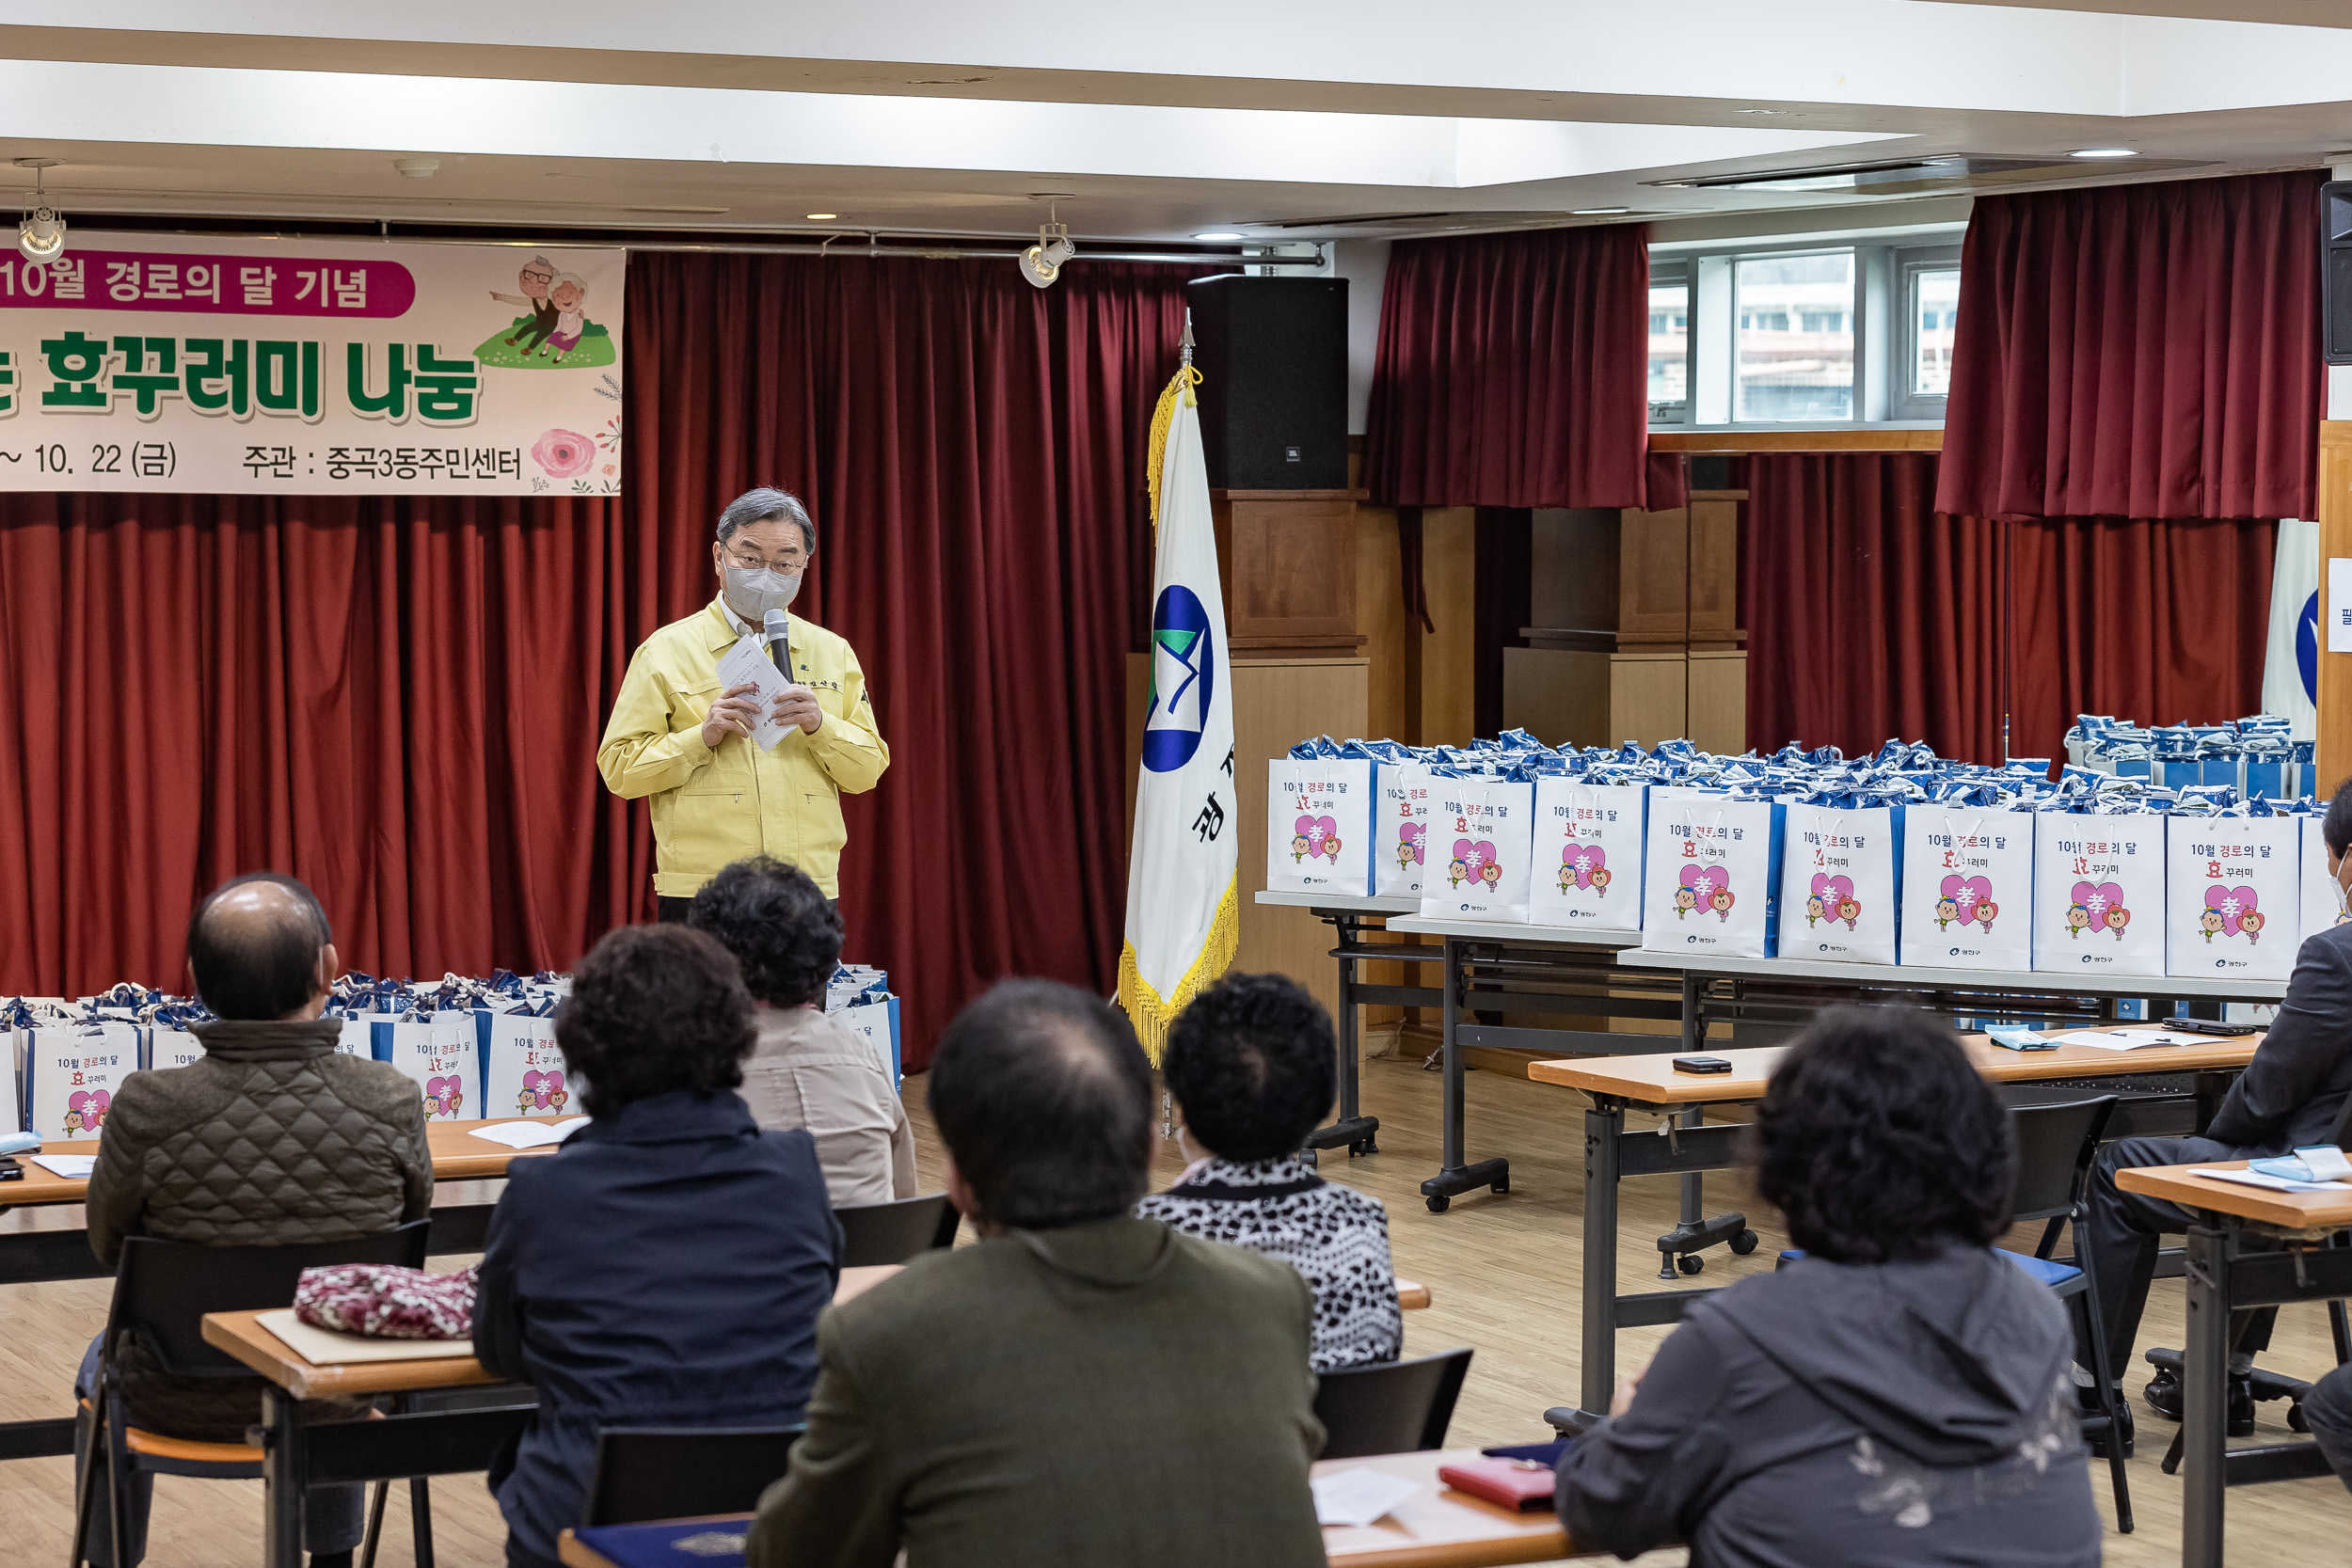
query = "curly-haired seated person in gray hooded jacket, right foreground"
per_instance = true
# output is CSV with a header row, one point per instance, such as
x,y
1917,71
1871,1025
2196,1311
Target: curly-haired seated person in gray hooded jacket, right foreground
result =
x,y
1902,1393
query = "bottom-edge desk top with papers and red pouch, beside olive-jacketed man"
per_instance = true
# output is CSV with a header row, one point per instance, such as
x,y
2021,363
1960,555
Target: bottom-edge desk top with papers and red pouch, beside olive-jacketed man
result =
x,y
1434,1529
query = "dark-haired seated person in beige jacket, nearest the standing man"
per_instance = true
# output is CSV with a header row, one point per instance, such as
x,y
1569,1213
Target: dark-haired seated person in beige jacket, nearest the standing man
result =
x,y
808,1068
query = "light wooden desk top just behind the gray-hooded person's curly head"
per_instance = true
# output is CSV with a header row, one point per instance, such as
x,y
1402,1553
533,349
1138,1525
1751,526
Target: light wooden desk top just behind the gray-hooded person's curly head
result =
x,y
1652,1080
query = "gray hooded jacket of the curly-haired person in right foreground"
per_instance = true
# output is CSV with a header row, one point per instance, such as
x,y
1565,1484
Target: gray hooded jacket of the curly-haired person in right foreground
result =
x,y
1852,1416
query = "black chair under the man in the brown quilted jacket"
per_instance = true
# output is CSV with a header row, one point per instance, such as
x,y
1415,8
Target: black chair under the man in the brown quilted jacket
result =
x,y
163,1292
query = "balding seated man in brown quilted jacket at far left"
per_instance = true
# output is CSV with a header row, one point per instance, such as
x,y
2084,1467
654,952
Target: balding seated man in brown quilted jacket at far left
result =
x,y
269,1139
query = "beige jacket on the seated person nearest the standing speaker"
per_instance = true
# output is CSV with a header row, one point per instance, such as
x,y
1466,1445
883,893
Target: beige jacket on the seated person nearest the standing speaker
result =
x,y
810,1071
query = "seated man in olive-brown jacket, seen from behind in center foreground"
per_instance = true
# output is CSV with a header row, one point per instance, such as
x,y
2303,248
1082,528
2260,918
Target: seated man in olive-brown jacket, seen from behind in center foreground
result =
x,y
1083,1386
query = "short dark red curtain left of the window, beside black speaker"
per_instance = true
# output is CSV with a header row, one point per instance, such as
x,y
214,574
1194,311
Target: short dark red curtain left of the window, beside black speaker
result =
x,y
1514,370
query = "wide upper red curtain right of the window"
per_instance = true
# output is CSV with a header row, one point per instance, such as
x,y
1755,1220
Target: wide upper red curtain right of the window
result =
x,y
2139,351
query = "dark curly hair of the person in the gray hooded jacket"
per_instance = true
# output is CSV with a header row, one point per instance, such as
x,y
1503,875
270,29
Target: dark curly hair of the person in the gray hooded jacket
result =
x,y
1880,1141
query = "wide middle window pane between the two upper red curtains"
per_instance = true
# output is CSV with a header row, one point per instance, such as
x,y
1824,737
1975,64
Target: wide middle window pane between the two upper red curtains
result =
x,y
1805,373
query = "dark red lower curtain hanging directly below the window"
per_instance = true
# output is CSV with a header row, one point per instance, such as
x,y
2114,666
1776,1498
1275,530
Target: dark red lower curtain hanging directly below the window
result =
x,y
1869,612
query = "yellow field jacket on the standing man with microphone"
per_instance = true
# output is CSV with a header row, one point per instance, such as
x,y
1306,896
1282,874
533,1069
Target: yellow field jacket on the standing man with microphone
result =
x,y
721,805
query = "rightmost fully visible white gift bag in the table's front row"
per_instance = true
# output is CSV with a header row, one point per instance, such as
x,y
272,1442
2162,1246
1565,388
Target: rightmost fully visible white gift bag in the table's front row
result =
x,y
2233,899
